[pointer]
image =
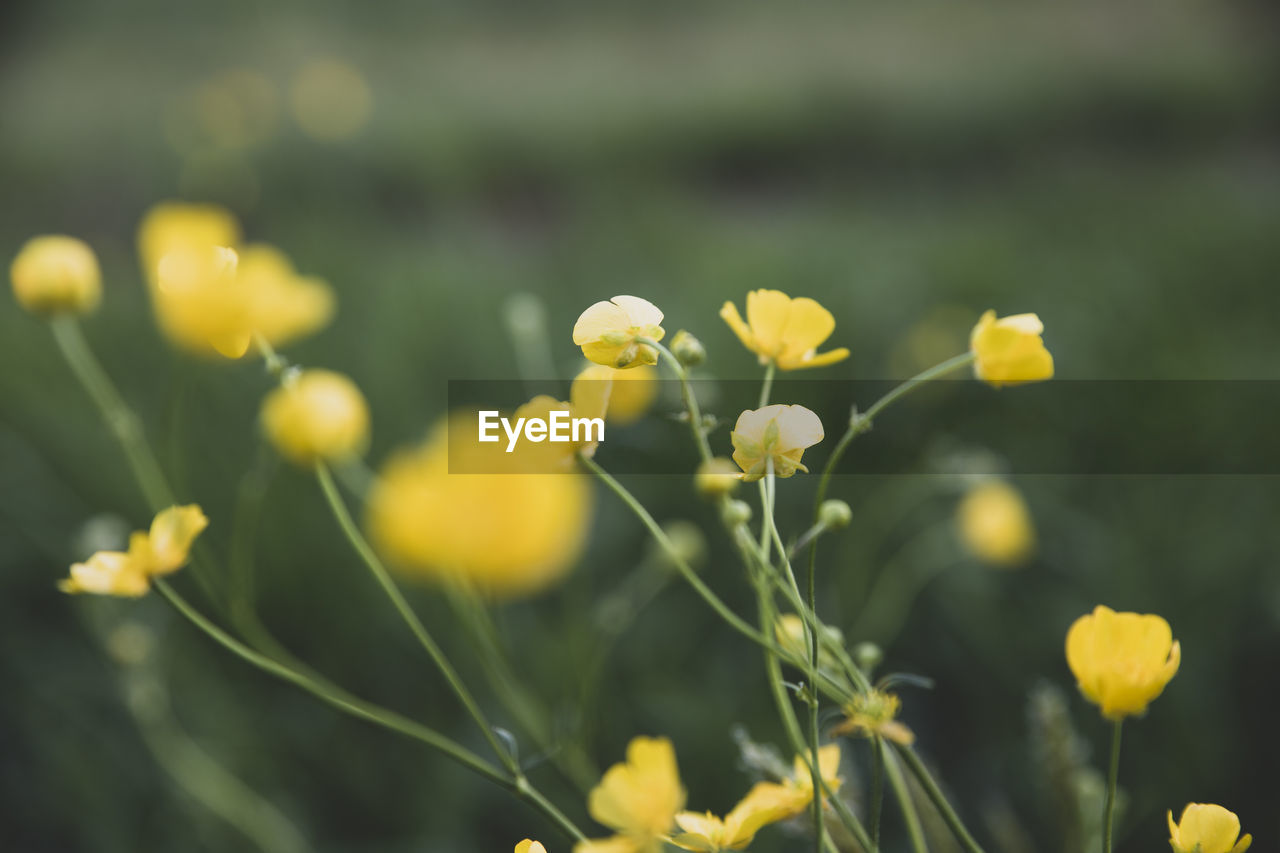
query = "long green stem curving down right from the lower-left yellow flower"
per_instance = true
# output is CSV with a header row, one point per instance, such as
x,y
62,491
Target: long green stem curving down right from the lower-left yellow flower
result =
x,y
371,713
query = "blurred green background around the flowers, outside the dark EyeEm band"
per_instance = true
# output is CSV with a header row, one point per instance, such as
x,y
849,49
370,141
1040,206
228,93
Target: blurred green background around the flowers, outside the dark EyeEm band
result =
x,y
1112,167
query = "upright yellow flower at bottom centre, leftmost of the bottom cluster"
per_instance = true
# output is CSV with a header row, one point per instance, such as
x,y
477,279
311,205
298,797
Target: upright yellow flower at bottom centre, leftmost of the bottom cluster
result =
x,y
638,799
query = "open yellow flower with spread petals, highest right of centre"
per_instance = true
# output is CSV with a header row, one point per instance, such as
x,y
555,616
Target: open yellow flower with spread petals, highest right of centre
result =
x,y
784,331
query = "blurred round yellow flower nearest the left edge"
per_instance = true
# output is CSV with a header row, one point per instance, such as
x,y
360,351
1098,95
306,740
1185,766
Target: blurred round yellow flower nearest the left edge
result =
x,y
57,275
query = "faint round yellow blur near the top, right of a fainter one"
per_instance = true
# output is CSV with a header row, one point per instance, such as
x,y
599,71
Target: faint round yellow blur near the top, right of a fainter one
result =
x,y
331,101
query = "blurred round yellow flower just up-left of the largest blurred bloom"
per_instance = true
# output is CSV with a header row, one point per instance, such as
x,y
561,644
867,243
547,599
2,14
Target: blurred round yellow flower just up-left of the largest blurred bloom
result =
x,y
318,416
